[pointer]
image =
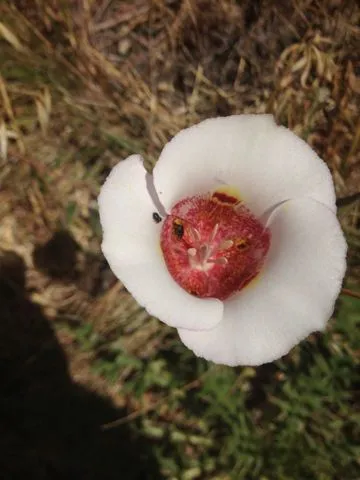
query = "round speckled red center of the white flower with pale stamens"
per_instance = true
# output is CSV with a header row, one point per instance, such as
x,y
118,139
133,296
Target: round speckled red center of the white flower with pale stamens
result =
x,y
213,245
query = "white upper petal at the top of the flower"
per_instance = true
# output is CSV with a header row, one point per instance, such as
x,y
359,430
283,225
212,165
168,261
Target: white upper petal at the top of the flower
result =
x,y
267,163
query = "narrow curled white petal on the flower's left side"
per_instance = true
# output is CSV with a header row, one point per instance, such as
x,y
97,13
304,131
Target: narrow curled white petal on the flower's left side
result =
x,y
131,245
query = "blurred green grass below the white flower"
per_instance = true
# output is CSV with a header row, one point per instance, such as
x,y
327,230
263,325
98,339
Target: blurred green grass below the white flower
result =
x,y
293,419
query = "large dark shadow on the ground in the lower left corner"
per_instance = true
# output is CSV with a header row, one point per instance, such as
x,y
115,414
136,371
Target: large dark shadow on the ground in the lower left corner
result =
x,y
50,426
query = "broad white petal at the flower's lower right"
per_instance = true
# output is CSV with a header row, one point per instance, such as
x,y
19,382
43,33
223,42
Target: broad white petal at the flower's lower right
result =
x,y
293,296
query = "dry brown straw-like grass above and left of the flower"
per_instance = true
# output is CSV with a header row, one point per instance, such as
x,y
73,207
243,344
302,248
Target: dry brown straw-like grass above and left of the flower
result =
x,y
84,83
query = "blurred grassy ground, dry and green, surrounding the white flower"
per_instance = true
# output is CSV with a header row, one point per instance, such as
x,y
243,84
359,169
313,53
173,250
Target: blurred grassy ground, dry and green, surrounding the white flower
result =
x,y
91,386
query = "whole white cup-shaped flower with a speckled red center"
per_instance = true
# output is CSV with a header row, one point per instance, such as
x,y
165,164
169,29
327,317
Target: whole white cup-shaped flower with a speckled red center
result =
x,y
283,183
